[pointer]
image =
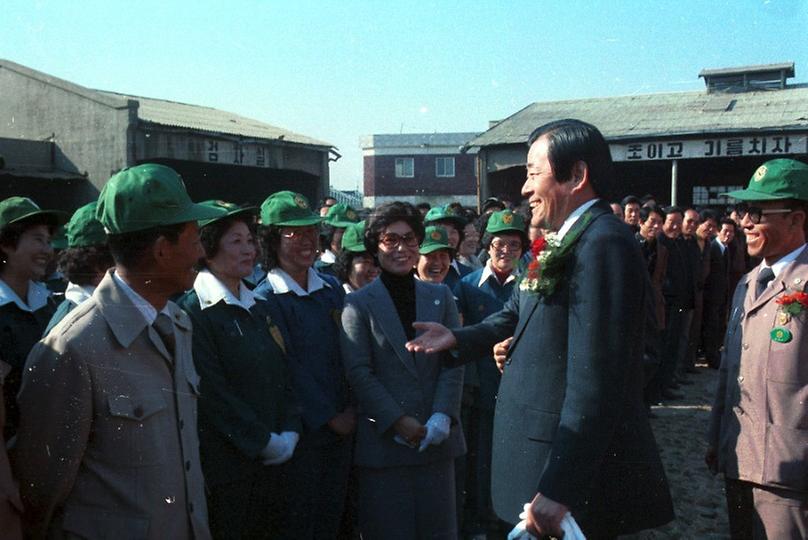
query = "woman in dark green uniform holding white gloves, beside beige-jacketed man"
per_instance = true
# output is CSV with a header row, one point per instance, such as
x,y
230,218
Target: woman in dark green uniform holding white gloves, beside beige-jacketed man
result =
x,y
249,422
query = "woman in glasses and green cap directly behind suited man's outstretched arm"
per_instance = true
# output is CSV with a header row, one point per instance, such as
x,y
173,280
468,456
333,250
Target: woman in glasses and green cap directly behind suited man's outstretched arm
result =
x,y
480,294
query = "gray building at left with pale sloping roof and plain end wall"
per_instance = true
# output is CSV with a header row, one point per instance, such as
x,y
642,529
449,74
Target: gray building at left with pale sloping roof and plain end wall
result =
x,y
220,155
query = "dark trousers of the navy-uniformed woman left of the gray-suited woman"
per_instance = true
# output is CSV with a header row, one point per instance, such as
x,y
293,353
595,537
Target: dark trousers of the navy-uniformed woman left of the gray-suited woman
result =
x,y
317,482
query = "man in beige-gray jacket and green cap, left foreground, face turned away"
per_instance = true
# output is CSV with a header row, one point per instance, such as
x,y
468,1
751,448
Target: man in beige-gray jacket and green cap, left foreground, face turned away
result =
x,y
107,445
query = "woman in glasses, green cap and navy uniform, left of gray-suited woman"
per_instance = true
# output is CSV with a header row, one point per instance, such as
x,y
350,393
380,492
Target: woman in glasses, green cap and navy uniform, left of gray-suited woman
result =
x,y
310,304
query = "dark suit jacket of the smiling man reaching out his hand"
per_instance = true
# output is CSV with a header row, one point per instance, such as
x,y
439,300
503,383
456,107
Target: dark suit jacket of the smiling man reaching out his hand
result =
x,y
570,421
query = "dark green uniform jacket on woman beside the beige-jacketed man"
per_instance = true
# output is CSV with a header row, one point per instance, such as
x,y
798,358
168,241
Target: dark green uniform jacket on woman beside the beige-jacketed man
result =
x,y
246,393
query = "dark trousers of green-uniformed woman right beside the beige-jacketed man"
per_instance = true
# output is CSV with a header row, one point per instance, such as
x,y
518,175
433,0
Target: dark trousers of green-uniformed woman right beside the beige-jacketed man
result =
x,y
250,507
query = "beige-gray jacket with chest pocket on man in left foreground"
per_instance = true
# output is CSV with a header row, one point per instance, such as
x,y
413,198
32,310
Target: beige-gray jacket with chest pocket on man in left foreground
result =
x,y
107,445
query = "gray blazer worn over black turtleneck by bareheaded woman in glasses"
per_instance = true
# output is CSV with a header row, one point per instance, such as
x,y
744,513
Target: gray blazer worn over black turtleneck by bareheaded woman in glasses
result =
x,y
389,382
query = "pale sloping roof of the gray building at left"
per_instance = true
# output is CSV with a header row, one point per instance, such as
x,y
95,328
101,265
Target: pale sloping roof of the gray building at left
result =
x,y
198,117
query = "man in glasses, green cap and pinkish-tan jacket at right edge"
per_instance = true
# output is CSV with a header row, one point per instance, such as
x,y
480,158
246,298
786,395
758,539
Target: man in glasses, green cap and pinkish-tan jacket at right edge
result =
x,y
758,432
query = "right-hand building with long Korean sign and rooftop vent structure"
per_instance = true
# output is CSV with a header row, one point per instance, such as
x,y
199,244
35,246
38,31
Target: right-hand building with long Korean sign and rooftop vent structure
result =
x,y
685,147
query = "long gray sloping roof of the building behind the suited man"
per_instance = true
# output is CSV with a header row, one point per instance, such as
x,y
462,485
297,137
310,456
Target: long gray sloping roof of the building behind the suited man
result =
x,y
661,115
